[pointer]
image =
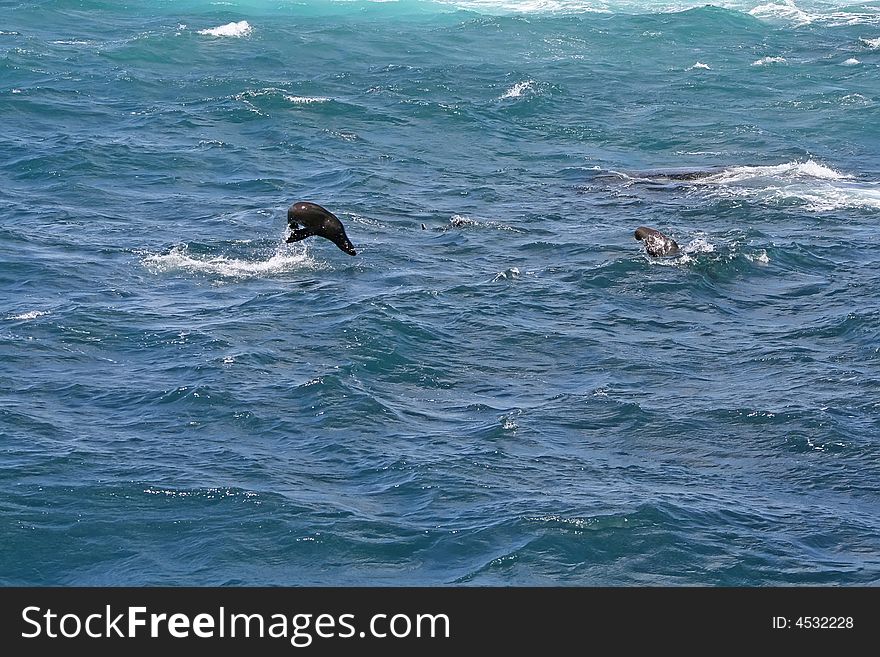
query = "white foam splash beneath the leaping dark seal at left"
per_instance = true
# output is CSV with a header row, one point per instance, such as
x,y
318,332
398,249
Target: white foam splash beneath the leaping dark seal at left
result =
x,y
179,259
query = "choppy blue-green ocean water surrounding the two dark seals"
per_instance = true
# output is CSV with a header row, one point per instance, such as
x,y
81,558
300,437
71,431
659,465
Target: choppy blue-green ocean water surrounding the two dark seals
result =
x,y
501,388
